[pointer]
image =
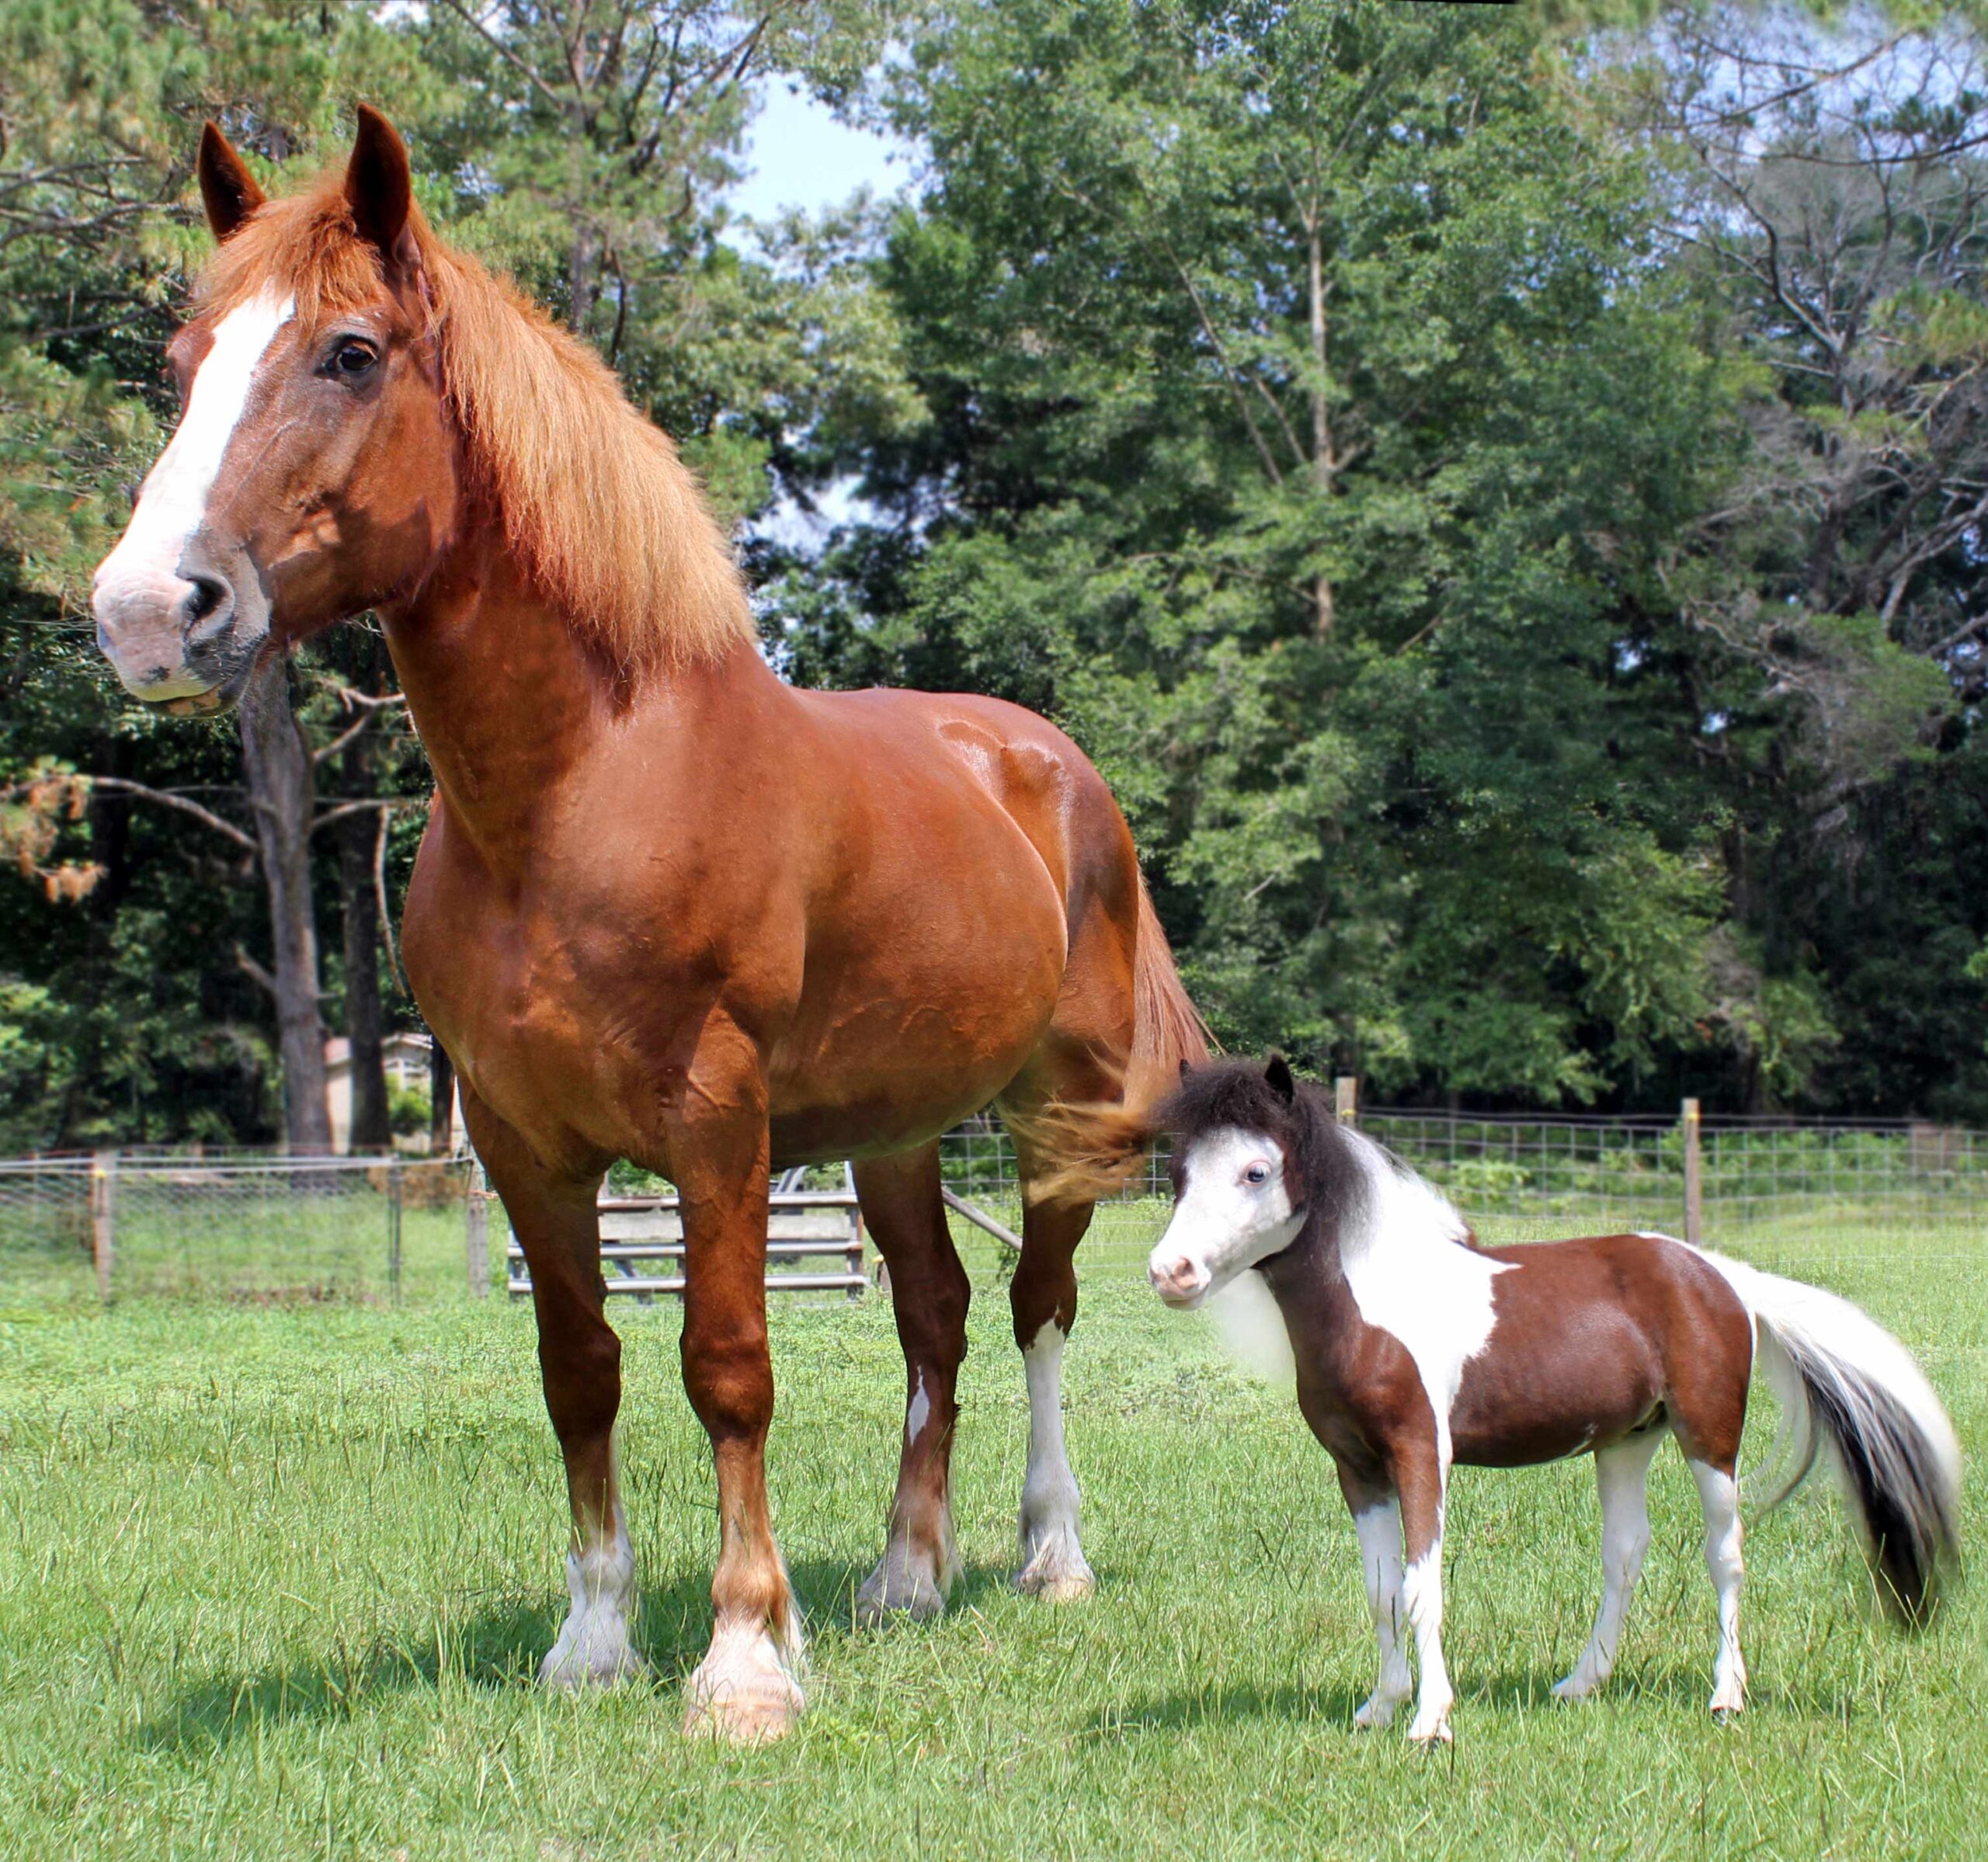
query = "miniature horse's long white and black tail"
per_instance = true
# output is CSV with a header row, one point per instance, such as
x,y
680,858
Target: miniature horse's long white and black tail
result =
x,y
1850,1386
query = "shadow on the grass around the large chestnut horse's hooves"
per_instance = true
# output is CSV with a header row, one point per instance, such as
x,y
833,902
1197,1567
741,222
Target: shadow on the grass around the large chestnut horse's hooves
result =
x,y
492,1650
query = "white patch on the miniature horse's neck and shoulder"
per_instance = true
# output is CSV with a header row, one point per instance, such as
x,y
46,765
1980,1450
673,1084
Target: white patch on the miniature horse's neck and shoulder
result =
x,y
1412,1277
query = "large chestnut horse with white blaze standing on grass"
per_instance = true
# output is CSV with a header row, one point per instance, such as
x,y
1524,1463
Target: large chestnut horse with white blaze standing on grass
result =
x,y
667,909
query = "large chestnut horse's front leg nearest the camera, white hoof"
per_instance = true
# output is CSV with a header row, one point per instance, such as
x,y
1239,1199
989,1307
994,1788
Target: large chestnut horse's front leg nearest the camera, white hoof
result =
x,y
719,1156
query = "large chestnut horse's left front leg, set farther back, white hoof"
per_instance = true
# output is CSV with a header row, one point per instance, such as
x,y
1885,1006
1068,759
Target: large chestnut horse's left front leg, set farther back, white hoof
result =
x,y
580,1358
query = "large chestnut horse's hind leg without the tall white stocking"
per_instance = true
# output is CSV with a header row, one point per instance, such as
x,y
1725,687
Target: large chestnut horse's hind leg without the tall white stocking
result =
x,y
929,1293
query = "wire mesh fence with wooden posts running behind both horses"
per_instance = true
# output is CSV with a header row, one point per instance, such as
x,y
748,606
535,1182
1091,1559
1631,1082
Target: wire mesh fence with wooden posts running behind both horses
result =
x,y
257,1227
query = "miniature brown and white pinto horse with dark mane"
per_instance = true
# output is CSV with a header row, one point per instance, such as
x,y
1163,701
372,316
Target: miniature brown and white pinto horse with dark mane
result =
x,y
1416,1350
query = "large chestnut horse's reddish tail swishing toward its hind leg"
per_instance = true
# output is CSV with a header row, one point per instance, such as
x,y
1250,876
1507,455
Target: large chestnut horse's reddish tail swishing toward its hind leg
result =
x,y
1094,1150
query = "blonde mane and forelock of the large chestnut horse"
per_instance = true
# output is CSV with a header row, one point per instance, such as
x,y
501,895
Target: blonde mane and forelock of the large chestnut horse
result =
x,y
595,500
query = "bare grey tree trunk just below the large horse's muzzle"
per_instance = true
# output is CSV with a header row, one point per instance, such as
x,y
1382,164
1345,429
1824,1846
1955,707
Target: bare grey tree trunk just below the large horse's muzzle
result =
x,y
277,774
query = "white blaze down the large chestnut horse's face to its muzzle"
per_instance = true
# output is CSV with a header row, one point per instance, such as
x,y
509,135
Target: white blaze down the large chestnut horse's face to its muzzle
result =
x,y
148,579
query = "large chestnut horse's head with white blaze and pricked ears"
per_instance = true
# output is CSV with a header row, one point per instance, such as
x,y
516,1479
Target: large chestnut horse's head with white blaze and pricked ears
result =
x,y
313,470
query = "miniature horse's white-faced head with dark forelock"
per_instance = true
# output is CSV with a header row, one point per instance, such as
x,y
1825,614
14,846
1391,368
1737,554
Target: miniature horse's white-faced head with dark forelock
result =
x,y
1242,1142
